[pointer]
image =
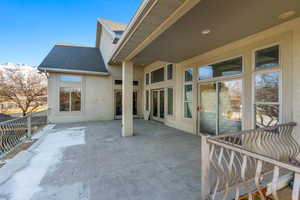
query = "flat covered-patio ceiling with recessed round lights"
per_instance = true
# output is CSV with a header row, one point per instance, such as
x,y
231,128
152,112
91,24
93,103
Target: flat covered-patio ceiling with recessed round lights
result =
x,y
227,21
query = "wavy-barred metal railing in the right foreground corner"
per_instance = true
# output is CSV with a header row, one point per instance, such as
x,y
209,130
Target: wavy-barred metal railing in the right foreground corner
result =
x,y
246,162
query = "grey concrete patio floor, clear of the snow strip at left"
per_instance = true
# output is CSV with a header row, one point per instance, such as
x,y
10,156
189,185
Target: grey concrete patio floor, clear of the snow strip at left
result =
x,y
159,162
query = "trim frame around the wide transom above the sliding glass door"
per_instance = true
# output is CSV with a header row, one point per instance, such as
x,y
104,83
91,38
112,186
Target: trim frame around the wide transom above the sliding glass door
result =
x,y
213,79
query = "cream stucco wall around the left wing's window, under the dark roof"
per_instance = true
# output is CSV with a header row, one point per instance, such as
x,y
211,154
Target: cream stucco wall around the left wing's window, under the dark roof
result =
x,y
96,97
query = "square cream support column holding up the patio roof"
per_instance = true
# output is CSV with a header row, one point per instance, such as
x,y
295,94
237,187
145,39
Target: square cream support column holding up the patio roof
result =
x,y
127,98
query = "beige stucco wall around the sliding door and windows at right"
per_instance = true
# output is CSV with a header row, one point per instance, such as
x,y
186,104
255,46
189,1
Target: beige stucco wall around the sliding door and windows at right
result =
x,y
287,35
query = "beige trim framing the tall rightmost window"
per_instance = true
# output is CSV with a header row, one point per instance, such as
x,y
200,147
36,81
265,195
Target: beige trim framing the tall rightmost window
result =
x,y
255,71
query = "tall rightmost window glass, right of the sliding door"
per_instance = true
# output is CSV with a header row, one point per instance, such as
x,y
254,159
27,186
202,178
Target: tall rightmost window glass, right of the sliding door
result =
x,y
267,87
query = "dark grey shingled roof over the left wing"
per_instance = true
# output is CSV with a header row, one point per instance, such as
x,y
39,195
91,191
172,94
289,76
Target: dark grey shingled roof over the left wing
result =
x,y
71,57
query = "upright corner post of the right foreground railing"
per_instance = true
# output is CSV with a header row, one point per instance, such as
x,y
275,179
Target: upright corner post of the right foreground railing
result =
x,y
205,175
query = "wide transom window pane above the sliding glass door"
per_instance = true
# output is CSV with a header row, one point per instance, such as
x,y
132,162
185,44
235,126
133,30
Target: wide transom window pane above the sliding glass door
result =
x,y
225,68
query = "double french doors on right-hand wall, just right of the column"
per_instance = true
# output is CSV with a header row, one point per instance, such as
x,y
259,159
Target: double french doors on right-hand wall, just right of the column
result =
x,y
158,104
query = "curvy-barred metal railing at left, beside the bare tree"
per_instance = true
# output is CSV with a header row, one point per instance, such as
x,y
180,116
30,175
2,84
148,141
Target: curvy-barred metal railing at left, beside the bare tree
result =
x,y
16,131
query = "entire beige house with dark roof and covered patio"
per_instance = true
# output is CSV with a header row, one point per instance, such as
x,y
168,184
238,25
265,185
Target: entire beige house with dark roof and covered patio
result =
x,y
201,66
